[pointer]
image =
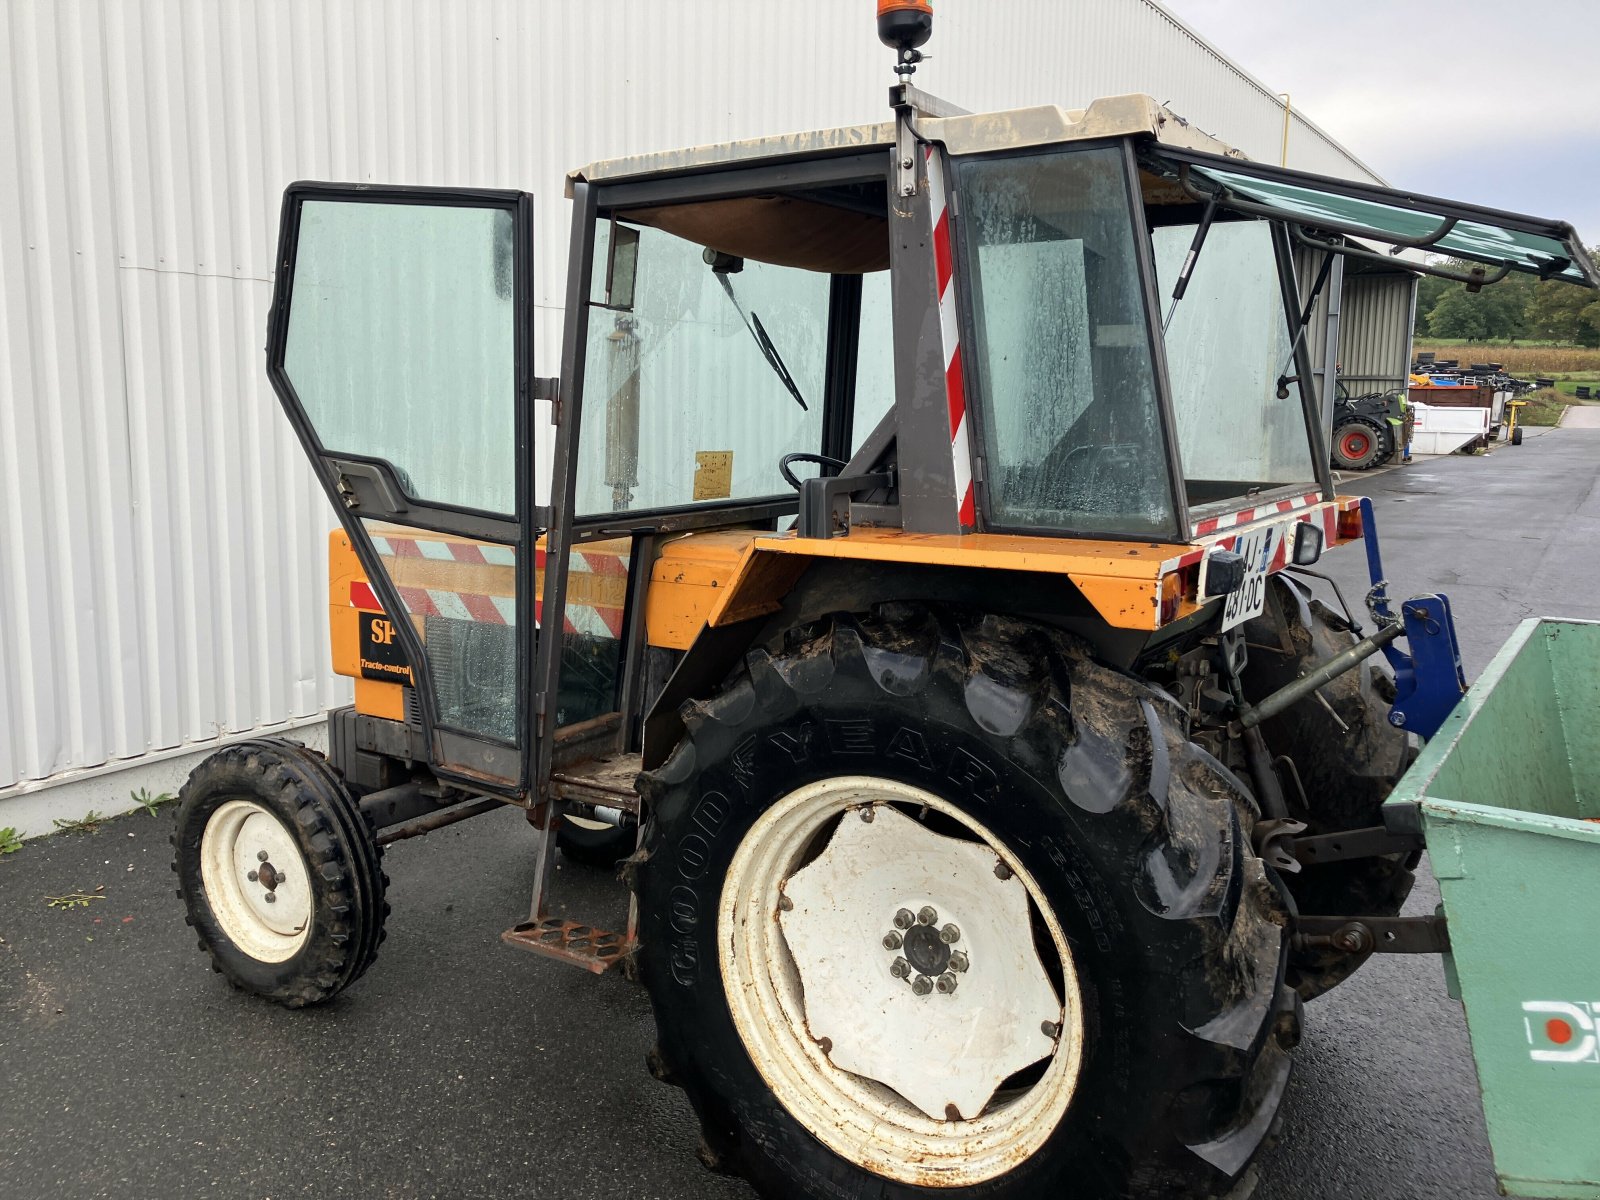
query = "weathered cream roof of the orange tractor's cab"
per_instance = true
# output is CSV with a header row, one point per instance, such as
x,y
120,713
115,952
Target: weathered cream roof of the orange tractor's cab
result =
x,y
967,134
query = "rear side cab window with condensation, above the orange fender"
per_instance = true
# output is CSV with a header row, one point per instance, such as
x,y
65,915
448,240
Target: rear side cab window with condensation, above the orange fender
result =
x,y
1071,420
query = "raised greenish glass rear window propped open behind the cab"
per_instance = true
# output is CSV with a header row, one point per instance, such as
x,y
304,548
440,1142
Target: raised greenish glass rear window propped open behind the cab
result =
x,y
1322,207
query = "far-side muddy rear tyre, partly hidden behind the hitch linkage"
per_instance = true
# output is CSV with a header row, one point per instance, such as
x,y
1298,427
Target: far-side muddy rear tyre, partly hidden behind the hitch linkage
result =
x,y
1348,759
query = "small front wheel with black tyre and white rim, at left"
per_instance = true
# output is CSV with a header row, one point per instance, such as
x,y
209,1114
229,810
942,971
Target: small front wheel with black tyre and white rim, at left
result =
x,y
279,873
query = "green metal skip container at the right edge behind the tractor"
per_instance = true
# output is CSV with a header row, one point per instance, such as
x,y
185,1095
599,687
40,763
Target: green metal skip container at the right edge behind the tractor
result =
x,y
1510,796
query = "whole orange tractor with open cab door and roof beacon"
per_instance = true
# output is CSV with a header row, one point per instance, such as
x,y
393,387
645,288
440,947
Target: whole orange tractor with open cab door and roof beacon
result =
x,y
993,790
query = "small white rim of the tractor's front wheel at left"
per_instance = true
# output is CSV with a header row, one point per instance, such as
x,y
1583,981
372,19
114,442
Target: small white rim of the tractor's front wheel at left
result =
x,y
249,855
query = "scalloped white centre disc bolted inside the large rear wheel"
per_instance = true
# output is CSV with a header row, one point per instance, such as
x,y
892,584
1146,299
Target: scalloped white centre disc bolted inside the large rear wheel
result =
x,y
876,1022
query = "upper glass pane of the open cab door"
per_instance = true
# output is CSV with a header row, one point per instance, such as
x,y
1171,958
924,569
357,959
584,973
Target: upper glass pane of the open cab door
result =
x,y
401,343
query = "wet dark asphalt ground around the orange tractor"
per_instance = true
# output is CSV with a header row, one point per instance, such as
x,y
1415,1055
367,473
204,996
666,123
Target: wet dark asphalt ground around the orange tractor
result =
x,y
460,1068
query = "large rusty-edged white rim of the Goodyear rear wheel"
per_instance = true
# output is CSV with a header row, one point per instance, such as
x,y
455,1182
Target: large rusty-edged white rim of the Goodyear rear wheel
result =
x,y
806,964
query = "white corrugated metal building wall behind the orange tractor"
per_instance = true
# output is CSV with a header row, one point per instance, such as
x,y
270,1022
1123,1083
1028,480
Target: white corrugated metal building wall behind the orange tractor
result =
x,y
161,540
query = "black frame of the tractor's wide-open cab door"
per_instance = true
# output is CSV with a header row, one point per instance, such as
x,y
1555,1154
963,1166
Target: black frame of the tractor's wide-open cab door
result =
x,y
364,487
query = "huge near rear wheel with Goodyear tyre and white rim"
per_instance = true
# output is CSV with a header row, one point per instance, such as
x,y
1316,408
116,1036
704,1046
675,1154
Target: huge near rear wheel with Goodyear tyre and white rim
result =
x,y
1007,772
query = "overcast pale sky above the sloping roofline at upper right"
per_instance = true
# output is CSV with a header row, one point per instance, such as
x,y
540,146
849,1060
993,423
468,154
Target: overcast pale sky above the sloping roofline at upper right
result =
x,y
1494,102
